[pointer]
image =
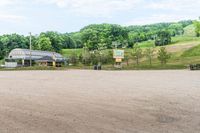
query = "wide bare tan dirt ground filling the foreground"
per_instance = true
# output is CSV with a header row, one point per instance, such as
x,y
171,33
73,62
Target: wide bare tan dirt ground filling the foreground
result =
x,y
100,101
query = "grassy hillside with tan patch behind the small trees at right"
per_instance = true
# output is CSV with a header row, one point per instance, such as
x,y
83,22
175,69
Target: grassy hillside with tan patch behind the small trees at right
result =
x,y
184,50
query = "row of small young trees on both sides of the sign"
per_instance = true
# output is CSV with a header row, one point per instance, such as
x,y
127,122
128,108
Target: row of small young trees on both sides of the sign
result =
x,y
101,57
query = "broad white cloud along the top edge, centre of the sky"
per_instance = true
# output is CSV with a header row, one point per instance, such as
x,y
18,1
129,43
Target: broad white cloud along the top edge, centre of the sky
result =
x,y
94,8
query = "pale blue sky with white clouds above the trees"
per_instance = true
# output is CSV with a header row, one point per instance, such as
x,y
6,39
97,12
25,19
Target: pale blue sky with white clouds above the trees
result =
x,y
24,16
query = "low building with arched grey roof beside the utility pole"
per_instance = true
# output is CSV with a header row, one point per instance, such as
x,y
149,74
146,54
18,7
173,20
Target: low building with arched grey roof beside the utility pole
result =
x,y
22,57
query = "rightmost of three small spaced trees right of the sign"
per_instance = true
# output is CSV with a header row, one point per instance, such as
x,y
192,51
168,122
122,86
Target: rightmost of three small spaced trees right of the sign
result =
x,y
163,55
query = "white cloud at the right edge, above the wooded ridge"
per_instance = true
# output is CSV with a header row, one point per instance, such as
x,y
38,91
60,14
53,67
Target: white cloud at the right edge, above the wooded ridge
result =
x,y
168,11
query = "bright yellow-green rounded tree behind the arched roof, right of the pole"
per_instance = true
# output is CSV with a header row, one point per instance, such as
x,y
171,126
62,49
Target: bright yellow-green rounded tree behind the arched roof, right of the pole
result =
x,y
44,43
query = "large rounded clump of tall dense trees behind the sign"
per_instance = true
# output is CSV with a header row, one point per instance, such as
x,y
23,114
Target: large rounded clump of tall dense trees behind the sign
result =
x,y
96,34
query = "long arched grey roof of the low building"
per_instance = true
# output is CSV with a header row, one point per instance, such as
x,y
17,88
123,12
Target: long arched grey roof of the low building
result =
x,y
35,54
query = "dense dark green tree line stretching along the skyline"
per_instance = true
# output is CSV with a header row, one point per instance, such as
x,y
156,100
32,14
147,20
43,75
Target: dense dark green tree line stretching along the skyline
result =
x,y
95,37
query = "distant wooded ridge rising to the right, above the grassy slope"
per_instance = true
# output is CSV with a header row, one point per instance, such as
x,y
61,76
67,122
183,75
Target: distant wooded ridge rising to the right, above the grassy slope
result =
x,y
149,32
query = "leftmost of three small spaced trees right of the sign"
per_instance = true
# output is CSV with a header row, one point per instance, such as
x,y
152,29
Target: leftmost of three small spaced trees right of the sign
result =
x,y
137,53
